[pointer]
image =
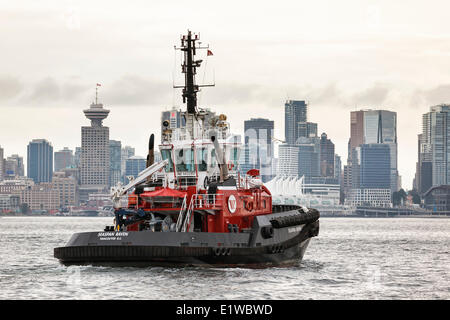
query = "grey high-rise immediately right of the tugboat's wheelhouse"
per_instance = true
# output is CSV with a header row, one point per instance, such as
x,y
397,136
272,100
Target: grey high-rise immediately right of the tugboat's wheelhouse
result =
x,y
259,136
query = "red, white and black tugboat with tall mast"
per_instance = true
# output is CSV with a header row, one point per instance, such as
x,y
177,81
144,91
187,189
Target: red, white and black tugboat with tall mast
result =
x,y
194,207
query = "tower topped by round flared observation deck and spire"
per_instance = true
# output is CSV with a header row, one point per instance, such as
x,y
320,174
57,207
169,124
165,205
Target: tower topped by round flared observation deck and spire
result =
x,y
94,162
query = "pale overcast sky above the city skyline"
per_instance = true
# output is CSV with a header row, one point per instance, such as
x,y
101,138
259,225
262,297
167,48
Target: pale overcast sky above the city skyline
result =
x,y
338,55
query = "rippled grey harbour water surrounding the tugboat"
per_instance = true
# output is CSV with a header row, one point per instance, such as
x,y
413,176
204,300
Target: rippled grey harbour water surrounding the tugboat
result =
x,y
352,258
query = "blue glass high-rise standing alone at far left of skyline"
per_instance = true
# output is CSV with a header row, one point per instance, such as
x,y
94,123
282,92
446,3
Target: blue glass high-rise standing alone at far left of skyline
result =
x,y
40,160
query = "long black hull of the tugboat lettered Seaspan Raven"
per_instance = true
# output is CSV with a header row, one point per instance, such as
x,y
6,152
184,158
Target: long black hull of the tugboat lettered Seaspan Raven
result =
x,y
286,247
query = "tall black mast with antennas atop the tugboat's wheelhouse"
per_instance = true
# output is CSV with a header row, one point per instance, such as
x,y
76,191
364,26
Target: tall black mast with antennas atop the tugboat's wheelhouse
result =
x,y
189,68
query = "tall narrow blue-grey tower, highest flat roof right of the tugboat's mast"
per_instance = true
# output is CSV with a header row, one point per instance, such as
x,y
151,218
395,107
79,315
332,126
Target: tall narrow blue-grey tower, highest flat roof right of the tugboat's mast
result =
x,y
294,112
